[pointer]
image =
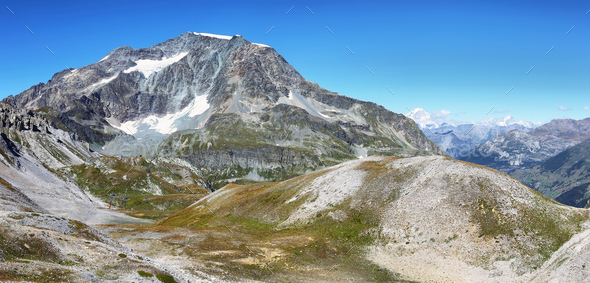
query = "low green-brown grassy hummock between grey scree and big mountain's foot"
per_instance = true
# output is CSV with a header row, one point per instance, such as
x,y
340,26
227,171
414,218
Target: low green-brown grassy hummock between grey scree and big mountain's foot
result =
x,y
168,187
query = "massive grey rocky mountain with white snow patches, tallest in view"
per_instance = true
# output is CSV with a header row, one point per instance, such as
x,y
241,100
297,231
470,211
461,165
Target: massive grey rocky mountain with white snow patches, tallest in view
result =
x,y
202,87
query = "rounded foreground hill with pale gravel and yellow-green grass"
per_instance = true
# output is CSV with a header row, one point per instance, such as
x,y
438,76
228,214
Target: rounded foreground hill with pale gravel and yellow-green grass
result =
x,y
258,211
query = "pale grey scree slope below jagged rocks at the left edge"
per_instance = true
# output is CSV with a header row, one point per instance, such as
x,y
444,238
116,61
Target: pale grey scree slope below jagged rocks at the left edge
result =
x,y
32,151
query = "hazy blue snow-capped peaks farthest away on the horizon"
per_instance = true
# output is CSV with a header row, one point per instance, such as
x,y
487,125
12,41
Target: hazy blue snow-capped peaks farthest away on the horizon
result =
x,y
460,139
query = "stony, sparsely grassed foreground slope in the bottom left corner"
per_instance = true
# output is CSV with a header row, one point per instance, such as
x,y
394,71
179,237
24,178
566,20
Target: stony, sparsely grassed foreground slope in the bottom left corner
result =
x,y
39,247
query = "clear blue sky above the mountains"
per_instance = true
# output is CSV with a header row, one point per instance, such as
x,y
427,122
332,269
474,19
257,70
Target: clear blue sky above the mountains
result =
x,y
460,56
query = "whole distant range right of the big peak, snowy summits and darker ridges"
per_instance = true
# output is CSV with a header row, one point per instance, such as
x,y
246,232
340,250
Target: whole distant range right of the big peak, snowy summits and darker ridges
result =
x,y
549,158
